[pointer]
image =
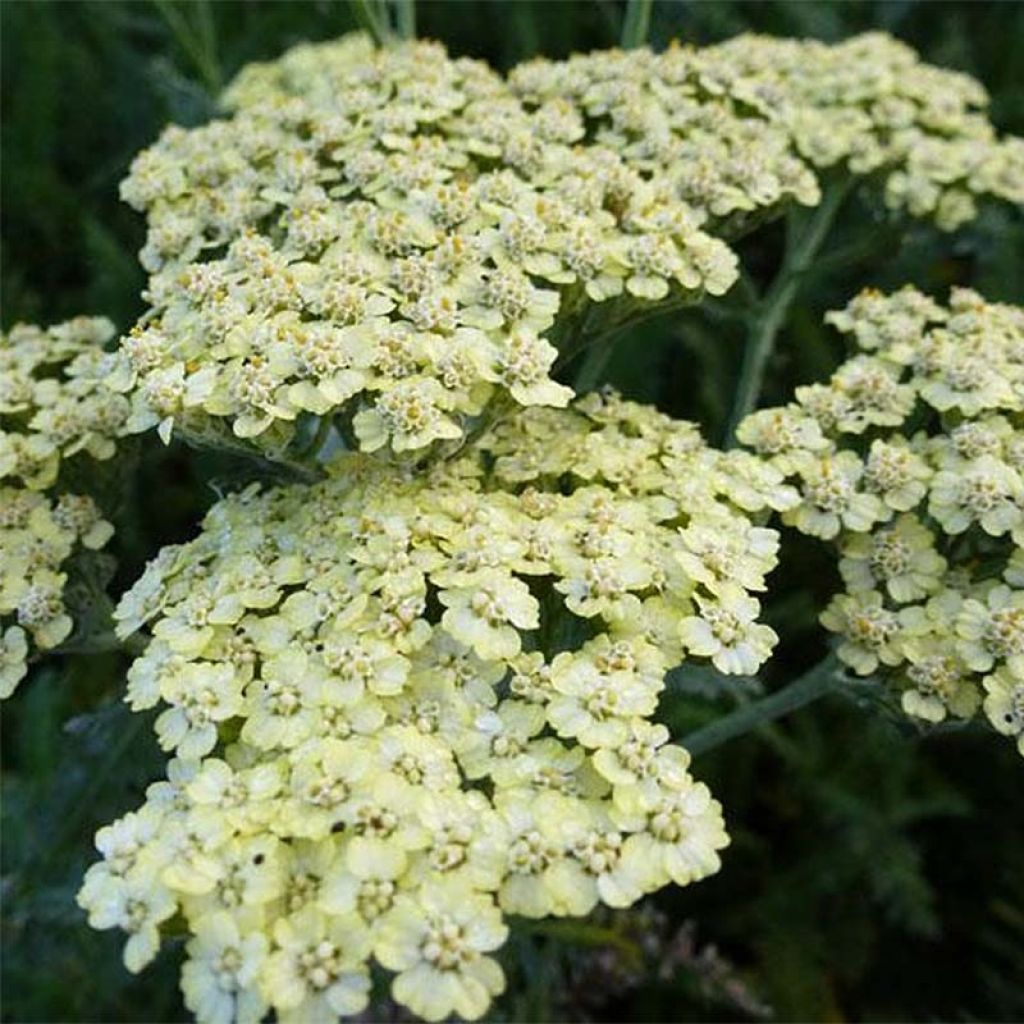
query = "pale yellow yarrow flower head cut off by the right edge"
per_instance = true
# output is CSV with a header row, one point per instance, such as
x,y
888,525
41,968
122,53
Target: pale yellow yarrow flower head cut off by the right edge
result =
x,y
912,462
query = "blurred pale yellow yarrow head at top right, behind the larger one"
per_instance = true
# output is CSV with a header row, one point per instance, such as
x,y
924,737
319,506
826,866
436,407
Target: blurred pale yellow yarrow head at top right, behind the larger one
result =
x,y
745,125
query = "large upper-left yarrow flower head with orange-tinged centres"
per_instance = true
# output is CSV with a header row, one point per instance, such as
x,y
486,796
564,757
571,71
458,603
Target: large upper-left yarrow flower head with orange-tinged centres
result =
x,y
398,246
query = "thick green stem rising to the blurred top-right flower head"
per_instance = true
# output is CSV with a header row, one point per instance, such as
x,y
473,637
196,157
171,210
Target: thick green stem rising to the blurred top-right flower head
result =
x,y
771,314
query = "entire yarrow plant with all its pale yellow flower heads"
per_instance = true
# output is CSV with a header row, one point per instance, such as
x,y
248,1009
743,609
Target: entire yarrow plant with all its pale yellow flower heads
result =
x,y
410,684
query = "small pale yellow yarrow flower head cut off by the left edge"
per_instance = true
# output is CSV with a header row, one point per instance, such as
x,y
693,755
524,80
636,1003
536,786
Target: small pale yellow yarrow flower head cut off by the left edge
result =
x,y
55,404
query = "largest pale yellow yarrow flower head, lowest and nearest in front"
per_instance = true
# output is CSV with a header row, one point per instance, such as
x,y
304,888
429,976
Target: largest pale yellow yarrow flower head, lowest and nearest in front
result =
x,y
404,706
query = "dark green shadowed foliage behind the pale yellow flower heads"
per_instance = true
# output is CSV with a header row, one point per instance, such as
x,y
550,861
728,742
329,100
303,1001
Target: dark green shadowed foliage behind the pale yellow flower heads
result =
x,y
875,873
